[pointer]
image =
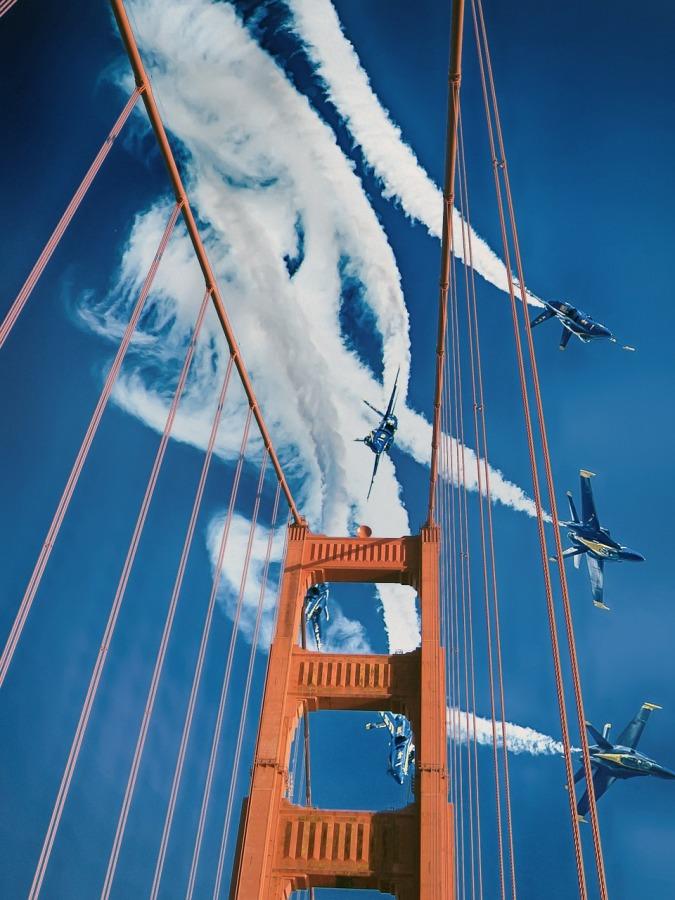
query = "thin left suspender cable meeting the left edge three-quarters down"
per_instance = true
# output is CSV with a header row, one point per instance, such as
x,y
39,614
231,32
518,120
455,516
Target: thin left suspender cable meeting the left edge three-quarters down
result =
x,y
78,465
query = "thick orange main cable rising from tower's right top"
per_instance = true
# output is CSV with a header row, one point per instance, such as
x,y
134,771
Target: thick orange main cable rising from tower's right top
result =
x,y
454,76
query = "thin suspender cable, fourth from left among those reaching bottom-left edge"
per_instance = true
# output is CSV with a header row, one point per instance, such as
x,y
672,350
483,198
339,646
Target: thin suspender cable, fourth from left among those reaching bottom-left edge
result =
x,y
224,691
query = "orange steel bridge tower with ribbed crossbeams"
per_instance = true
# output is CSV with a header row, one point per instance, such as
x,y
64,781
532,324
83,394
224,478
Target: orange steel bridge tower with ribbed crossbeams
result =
x,y
283,846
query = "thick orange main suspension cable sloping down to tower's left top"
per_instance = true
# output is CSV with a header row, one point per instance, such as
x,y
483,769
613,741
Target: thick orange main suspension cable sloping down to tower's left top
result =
x,y
143,83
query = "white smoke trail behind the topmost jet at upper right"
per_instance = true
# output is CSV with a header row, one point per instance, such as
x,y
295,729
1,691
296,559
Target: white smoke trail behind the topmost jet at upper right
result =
x,y
393,162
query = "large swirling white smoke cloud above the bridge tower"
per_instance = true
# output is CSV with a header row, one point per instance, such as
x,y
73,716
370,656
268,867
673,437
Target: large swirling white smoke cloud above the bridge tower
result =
x,y
287,225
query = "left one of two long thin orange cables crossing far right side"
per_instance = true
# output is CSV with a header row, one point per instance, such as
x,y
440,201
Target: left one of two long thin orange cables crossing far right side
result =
x,y
557,665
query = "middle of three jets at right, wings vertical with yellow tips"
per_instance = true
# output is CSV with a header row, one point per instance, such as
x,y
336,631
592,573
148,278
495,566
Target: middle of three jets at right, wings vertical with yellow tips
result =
x,y
588,536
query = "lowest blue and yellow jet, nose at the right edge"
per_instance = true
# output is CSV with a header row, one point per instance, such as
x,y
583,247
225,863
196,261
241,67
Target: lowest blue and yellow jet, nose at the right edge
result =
x,y
621,760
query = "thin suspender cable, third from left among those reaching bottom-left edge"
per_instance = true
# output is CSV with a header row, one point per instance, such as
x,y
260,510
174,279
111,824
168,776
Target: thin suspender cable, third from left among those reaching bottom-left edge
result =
x,y
199,665
